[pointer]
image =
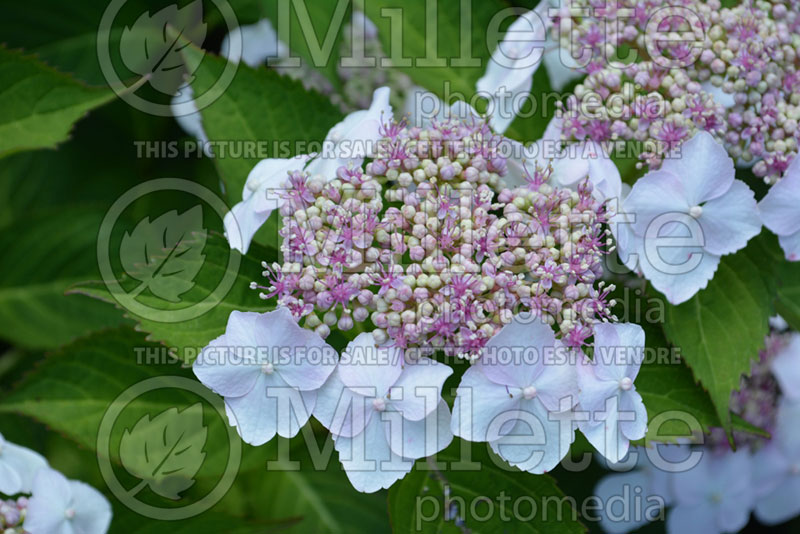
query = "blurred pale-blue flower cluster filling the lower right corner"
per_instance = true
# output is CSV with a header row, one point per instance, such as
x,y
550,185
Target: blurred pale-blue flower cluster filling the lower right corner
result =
x,y
712,489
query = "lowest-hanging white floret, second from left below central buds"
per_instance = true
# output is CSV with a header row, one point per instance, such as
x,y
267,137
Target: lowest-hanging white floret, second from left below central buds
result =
x,y
383,412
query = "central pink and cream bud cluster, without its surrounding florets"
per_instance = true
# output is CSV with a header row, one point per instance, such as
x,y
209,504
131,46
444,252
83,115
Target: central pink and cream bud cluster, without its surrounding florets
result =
x,y
427,248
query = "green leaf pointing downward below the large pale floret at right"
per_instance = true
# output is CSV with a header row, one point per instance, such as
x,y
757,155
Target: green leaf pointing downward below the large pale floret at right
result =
x,y
721,329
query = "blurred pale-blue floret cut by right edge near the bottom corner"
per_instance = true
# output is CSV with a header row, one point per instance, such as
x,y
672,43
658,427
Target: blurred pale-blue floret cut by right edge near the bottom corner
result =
x,y
777,473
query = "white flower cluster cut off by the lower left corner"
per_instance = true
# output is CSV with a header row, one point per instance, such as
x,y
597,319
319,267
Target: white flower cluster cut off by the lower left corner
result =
x,y
47,502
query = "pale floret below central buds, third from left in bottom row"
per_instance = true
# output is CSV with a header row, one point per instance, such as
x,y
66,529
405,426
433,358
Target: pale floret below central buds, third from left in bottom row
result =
x,y
518,396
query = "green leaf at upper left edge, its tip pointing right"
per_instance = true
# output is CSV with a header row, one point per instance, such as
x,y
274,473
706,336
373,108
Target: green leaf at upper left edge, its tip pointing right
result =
x,y
40,104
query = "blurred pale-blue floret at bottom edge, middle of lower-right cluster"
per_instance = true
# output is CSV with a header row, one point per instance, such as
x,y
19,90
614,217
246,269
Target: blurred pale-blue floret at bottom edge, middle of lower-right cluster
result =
x,y
714,497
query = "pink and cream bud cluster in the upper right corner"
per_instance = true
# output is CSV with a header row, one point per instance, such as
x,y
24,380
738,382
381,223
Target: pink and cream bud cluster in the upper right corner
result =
x,y
738,80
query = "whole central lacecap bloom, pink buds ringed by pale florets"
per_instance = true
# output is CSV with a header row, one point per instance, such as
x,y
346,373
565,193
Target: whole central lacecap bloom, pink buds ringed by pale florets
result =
x,y
424,253
